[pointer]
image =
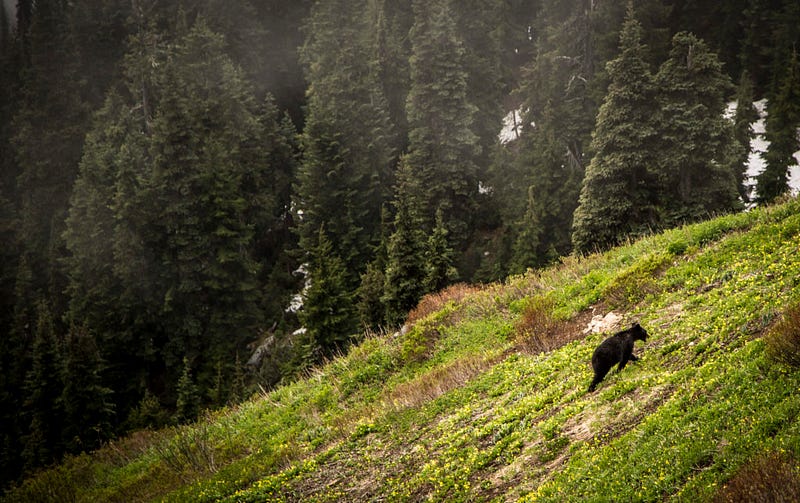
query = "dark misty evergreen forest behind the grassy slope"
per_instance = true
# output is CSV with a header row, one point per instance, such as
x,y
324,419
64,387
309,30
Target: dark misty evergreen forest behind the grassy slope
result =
x,y
204,198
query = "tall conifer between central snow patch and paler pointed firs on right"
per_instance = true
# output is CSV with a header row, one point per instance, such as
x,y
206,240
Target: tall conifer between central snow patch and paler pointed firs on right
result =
x,y
557,116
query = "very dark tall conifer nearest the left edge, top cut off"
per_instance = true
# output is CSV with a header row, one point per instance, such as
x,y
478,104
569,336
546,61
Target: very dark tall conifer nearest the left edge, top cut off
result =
x,y
49,124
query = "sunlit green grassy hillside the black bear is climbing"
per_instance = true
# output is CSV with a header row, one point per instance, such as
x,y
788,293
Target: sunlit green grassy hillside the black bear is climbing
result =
x,y
484,396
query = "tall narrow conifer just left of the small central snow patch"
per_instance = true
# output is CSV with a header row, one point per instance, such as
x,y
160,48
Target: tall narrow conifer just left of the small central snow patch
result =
x,y
443,147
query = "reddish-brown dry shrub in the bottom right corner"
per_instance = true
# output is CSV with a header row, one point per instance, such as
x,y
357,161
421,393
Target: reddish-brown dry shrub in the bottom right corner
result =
x,y
774,477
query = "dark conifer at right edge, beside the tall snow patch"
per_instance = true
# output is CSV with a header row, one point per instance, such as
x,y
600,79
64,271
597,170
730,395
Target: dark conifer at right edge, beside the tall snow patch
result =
x,y
783,121
